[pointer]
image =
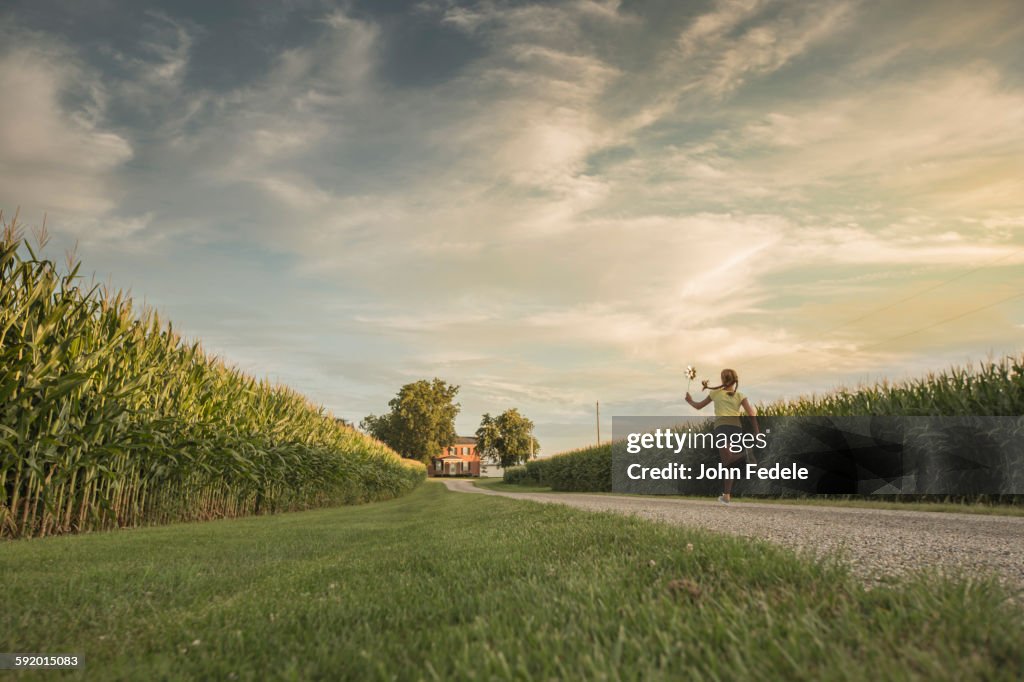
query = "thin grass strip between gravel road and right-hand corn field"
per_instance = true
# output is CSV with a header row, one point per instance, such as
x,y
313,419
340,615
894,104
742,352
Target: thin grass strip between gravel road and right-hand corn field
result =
x,y
948,507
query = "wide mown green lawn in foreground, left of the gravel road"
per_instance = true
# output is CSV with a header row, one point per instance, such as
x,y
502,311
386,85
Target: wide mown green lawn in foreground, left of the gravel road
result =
x,y
439,585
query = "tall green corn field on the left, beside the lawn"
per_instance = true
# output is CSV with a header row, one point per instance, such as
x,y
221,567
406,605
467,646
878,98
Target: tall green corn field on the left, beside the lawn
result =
x,y
108,419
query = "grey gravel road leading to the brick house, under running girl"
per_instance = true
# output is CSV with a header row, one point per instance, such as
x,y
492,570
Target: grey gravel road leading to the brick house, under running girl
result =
x,y
878,543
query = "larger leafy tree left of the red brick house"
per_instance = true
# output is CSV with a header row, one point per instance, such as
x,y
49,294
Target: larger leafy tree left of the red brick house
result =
x,y
421,423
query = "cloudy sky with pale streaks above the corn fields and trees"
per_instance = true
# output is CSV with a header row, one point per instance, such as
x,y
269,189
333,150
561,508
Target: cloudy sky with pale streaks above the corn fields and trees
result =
x,y
548,204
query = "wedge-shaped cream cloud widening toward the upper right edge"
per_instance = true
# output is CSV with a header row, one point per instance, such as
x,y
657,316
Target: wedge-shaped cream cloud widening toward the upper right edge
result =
x,y
946,144
